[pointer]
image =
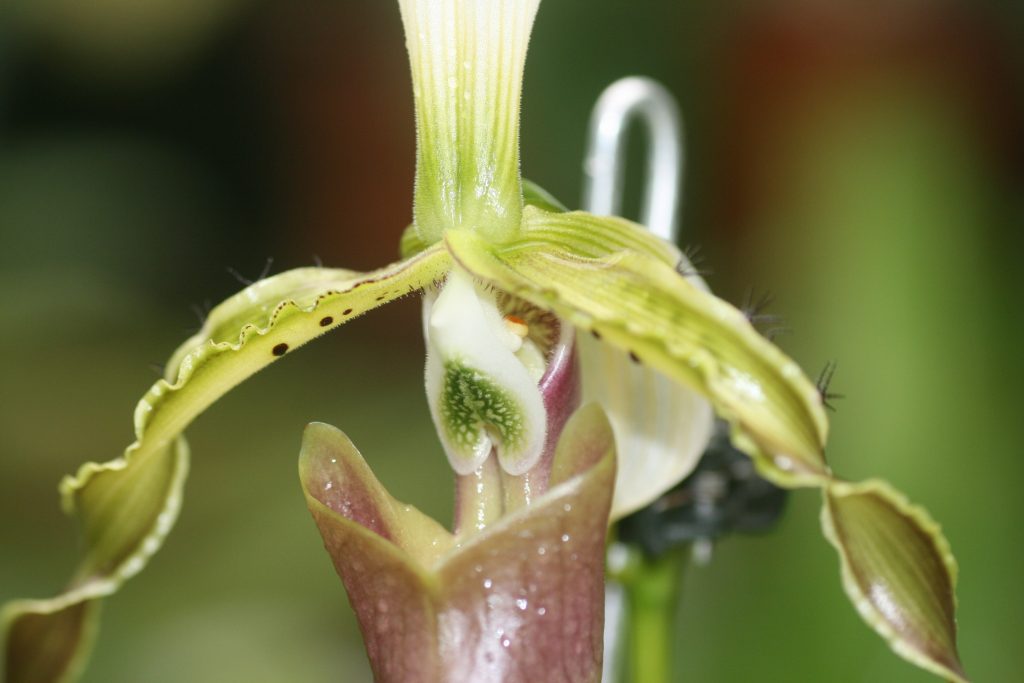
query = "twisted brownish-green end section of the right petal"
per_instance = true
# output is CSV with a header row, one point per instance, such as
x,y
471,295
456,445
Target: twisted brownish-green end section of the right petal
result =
x,y
899,571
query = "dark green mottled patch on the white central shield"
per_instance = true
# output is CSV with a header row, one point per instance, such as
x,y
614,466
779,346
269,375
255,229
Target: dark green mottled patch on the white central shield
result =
x,y
471,401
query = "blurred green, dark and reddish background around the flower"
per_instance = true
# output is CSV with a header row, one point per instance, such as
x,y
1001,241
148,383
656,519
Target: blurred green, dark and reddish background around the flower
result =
x,y
862,161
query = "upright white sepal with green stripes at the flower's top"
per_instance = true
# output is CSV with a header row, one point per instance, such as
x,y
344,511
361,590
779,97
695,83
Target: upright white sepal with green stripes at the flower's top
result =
x,y
467,60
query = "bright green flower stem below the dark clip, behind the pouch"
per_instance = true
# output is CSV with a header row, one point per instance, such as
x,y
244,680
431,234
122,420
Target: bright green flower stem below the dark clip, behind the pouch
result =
x,y
653,591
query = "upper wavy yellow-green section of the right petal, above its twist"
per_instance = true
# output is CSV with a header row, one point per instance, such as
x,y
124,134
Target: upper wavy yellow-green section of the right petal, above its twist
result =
x,y
635,302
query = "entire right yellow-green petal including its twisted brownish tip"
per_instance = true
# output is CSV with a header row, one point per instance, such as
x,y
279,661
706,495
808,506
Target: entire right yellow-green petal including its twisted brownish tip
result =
x,y
898,569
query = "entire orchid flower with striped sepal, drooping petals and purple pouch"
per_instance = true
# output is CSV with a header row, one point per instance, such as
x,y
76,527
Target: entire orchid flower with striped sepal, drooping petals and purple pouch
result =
x,y
526,307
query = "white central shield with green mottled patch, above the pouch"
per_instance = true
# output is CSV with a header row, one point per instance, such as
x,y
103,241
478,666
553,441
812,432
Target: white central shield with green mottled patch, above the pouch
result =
x,y
482,379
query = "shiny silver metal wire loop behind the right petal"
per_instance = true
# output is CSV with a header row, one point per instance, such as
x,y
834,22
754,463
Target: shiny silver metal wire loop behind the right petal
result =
x,y
630,99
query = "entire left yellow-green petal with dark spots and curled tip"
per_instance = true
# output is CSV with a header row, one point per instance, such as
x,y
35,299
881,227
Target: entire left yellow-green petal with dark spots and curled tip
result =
x,y
127,506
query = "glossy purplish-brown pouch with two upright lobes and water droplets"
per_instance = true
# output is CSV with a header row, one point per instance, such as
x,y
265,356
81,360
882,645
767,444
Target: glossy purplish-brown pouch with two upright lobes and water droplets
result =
x,y
521,602
